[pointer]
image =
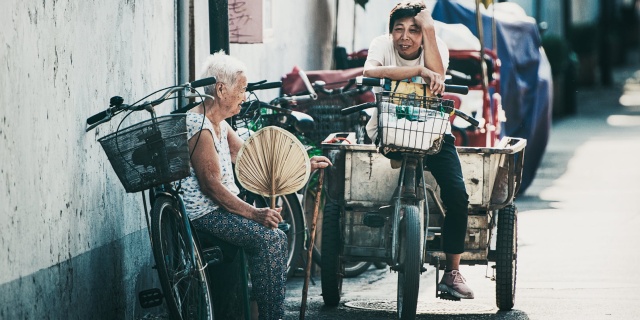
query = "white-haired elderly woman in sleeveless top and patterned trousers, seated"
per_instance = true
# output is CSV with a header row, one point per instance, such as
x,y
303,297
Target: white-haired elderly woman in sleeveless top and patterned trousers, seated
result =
x,y
210,192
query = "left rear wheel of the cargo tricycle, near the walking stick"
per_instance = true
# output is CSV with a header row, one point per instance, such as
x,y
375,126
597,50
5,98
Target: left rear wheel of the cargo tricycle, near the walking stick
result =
x,y
331,266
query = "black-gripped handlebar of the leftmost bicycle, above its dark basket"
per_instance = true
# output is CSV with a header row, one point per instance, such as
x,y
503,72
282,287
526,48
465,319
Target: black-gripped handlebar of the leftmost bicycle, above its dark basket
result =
x,y
116,104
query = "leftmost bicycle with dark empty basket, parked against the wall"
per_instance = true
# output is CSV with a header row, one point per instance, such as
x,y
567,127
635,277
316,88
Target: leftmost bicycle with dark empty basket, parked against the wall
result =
x,y
152,155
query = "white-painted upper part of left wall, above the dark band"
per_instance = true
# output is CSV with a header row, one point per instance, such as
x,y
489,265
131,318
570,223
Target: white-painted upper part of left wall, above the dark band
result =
x,y
62,61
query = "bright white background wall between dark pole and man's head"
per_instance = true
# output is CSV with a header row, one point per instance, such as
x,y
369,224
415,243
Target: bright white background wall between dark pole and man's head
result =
x,y
302,35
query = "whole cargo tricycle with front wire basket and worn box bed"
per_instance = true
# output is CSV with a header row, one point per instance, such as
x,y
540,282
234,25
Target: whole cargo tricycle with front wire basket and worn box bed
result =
x,y
379,214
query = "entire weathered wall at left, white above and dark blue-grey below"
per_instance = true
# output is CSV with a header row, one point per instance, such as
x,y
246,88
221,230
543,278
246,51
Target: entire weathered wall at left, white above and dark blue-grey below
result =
x,y
72,242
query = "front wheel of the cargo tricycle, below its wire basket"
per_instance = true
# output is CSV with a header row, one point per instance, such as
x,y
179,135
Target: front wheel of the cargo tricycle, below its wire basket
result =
x,y
410,260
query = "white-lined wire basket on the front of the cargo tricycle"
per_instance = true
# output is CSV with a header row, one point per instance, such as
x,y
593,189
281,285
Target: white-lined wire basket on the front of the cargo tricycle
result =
x,y
412,123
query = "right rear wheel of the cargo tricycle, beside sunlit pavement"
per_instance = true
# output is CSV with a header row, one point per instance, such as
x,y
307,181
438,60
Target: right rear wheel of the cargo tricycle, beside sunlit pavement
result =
x,y
506,257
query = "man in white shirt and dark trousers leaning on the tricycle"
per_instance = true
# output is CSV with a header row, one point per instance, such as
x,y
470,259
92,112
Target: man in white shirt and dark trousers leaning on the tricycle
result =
x,y
412,50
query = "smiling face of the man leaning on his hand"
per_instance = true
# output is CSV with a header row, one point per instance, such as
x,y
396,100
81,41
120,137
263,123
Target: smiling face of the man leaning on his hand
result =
x,y
407,38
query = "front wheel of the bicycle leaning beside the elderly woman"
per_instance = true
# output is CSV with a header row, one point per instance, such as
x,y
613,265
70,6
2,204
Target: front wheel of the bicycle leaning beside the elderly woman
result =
x,y
181,270
